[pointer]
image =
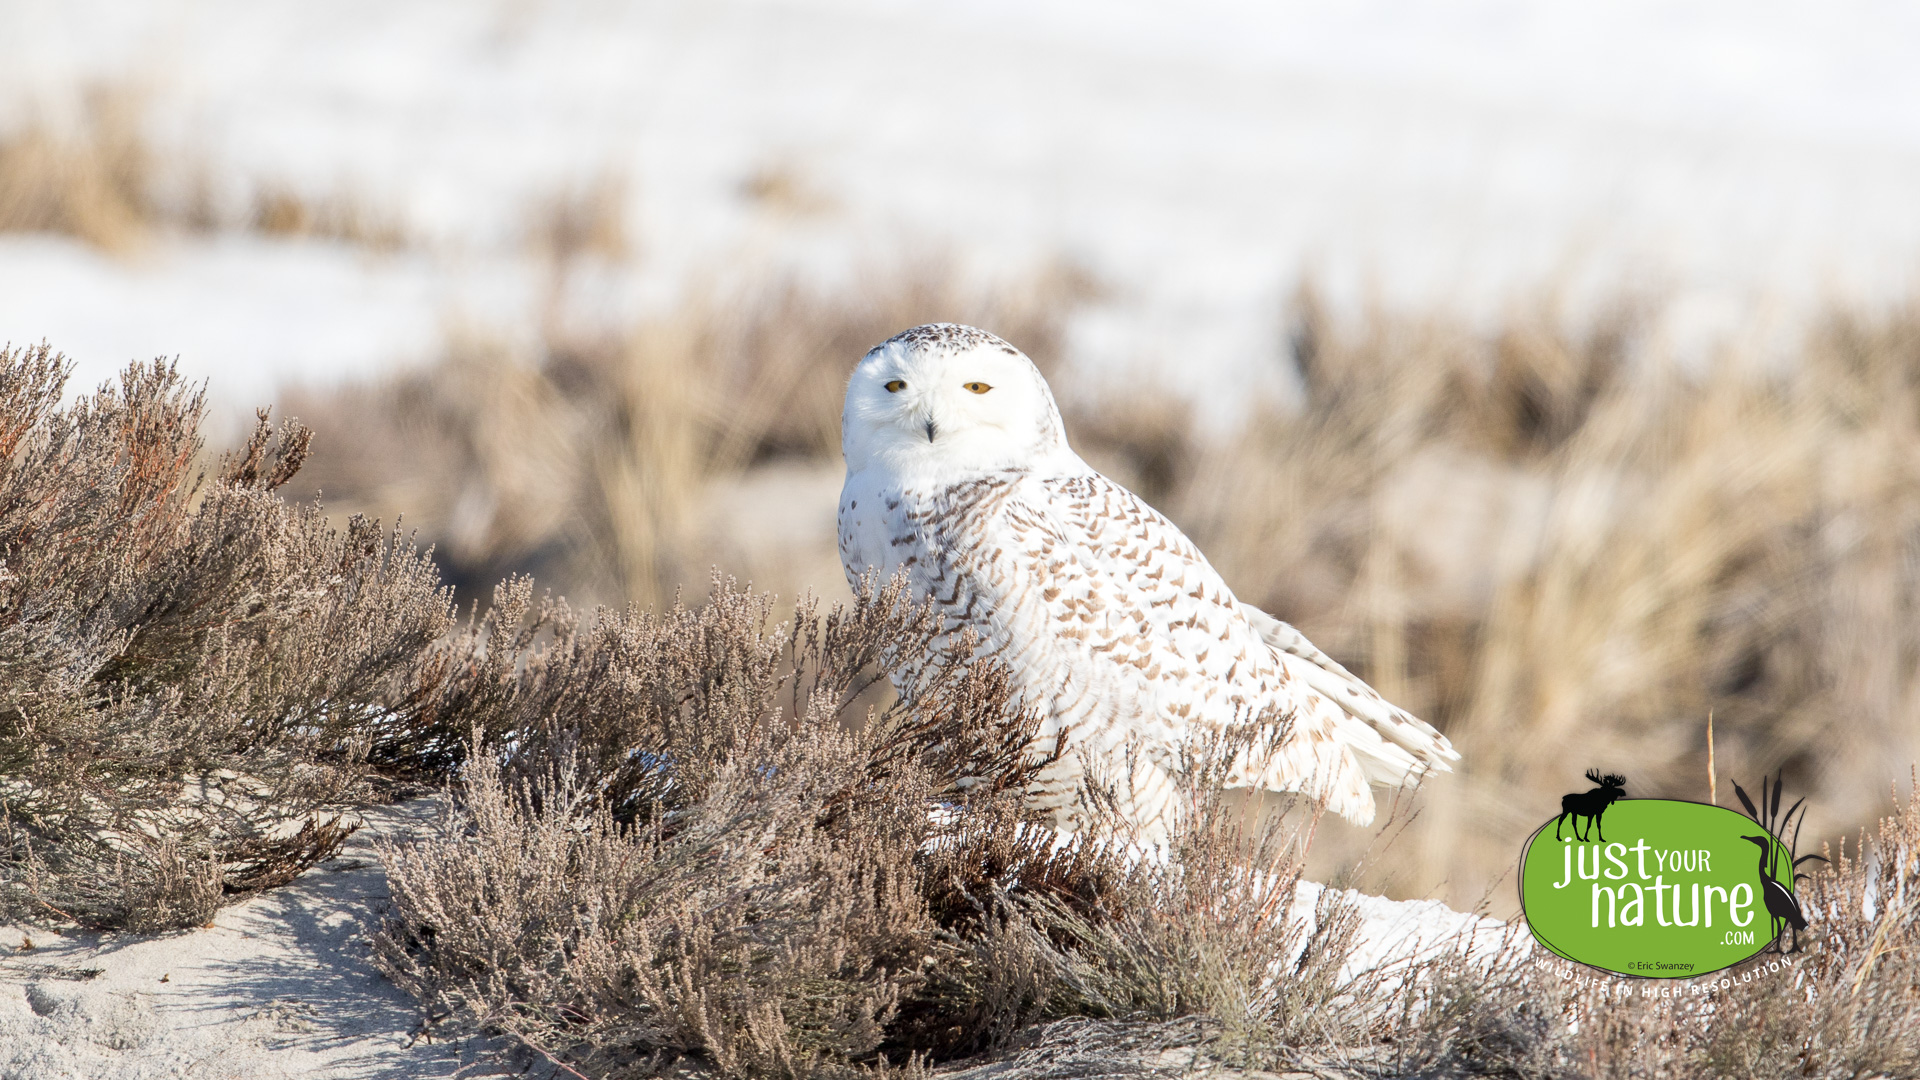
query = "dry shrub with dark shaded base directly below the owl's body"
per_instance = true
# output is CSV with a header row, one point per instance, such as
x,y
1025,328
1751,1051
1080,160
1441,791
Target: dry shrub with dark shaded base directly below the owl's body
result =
x,y
1205,927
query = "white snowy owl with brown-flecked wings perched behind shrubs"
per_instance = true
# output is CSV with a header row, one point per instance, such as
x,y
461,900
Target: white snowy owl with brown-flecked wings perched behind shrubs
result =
x,y
1113,624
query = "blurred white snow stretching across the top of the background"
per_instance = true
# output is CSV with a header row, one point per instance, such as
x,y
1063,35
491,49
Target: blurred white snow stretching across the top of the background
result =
x,y
1733,157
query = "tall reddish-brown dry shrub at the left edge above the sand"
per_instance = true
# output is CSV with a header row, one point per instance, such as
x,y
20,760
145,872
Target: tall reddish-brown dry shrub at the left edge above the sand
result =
x,y
191,670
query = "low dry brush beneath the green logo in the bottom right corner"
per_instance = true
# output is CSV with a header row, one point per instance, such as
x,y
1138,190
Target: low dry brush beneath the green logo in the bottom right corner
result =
x,y
1846,1006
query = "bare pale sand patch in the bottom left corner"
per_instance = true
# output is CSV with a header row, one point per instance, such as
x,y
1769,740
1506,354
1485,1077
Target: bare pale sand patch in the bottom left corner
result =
x,y
279,987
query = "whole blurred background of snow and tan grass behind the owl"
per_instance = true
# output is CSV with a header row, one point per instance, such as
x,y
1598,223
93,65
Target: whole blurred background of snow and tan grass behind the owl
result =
x,y
1552,364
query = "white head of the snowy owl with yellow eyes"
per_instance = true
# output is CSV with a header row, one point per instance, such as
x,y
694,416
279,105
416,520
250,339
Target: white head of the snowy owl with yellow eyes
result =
x,y
951,401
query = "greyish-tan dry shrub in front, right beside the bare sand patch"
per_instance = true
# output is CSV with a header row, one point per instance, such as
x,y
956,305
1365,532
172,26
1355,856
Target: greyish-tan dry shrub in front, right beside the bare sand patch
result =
x,y
744,929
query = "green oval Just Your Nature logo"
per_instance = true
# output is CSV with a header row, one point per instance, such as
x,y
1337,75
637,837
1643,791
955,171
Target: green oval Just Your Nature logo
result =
x,y
1664,891
